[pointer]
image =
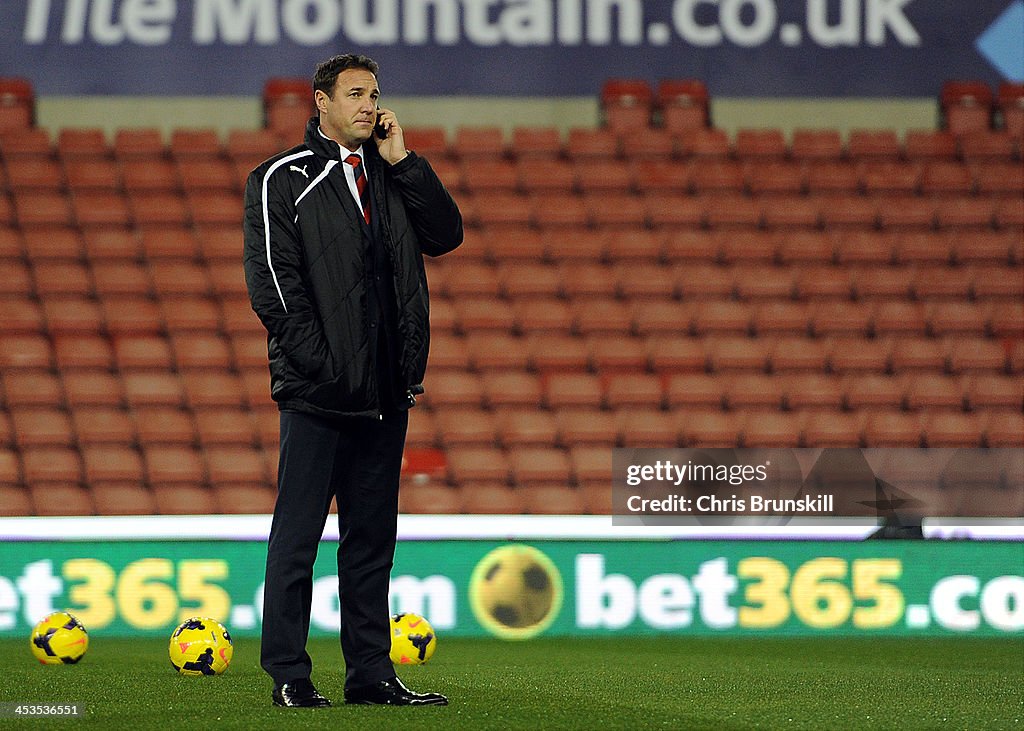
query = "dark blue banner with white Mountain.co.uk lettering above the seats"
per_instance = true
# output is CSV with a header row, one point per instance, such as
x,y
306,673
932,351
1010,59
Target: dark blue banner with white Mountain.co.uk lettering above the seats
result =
x,y
516,48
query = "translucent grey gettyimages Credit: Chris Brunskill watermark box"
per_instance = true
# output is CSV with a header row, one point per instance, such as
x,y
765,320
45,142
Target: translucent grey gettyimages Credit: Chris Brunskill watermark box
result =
x,y
893,486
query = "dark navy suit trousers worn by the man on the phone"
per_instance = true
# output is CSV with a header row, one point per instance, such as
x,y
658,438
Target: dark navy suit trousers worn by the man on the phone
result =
x,y
357,461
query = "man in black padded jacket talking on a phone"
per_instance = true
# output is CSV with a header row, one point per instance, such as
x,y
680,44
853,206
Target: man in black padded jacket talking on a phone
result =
x,y
335,233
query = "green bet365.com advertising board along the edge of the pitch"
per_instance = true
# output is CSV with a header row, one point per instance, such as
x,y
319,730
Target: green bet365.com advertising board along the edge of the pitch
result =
x,y
519,590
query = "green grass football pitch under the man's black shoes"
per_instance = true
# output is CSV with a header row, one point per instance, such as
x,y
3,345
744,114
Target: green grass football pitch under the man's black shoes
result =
x,y
617,683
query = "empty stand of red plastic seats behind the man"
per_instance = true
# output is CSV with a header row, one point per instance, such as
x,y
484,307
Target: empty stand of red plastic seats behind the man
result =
x,y
700,290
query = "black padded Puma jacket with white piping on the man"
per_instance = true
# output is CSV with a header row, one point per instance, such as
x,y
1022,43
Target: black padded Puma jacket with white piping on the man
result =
x,y
305,268
